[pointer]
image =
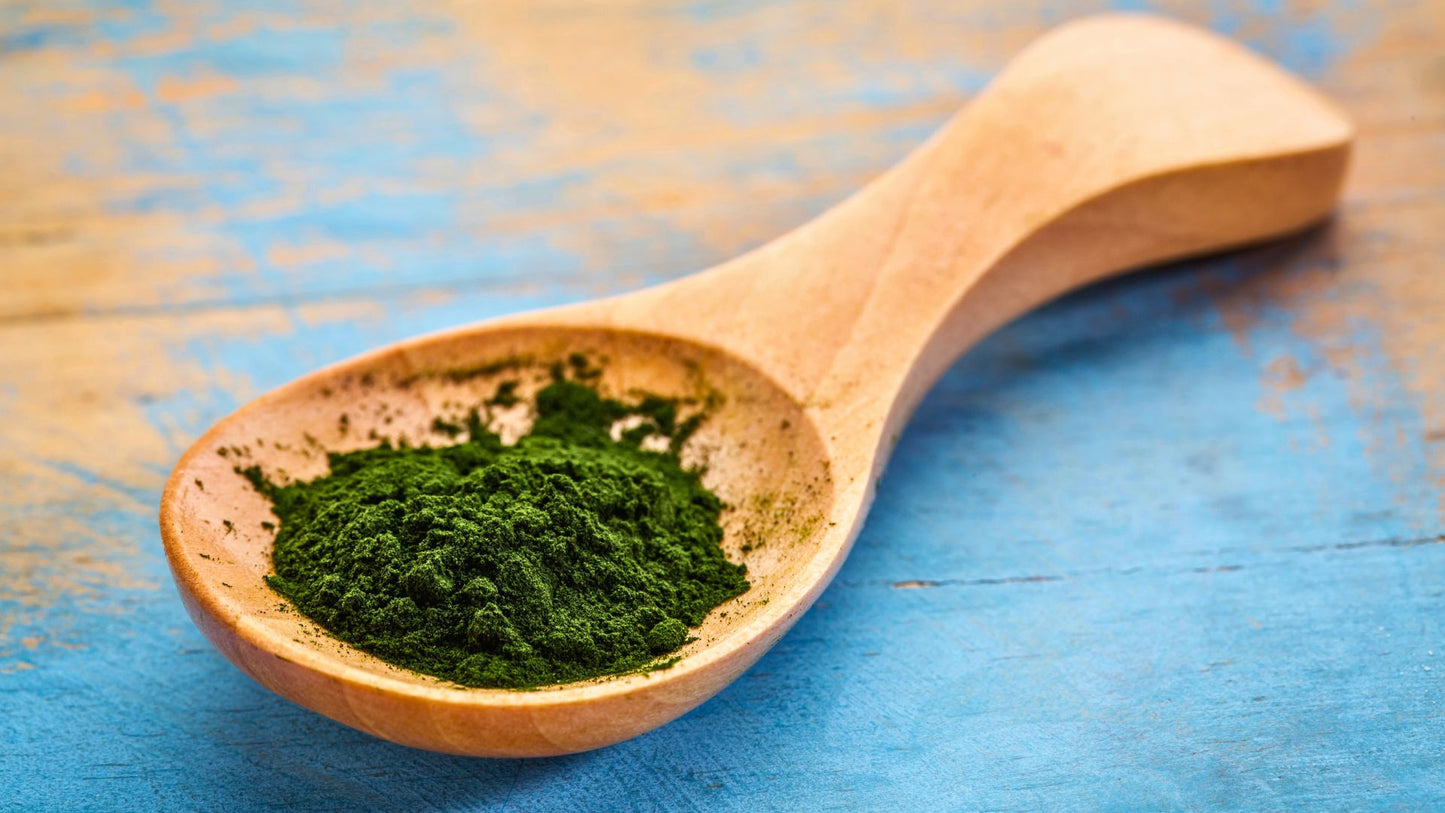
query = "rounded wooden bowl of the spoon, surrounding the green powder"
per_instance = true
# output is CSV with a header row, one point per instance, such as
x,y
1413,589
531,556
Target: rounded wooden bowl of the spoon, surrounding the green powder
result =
x,y
219,529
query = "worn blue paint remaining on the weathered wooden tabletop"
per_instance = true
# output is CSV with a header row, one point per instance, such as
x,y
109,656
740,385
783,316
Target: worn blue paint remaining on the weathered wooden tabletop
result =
x,y
1138,590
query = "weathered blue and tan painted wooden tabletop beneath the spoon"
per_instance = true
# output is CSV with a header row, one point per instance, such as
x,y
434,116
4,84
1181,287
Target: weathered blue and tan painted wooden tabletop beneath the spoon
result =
x,y
1174,542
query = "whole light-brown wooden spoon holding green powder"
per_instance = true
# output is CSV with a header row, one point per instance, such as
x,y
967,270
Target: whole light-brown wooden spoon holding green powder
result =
x,y
1110,144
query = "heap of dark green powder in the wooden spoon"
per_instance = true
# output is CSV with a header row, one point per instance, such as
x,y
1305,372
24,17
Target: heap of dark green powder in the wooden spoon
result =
x,y
561,558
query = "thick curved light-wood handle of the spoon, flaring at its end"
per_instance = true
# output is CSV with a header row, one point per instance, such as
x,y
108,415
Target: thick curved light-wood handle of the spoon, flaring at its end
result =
x,y
1108,145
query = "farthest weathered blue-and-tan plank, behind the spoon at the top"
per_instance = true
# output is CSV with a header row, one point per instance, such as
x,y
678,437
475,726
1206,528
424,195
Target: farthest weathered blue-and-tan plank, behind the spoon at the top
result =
x,y
525,145
